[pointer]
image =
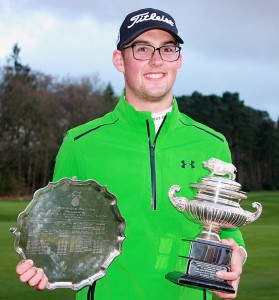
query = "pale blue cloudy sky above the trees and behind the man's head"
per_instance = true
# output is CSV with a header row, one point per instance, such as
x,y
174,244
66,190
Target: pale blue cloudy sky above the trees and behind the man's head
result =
x,y
229,45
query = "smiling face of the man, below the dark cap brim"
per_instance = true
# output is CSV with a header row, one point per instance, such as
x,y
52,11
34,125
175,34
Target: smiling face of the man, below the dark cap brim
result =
x,y
150,80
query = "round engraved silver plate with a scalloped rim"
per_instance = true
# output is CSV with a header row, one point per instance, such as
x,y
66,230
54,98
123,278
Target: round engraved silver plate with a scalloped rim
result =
x,y
71,229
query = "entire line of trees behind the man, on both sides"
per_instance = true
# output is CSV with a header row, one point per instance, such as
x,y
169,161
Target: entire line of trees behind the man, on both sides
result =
x,y
36,110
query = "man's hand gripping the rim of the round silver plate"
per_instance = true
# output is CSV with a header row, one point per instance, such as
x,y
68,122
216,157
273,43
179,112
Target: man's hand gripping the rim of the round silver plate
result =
x,y
35,277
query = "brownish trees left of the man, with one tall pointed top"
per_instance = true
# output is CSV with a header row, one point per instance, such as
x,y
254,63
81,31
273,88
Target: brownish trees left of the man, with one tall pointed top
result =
x,y
35,113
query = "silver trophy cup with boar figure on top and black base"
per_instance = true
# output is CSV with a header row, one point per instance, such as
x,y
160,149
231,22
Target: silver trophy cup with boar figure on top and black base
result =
x,y
216,206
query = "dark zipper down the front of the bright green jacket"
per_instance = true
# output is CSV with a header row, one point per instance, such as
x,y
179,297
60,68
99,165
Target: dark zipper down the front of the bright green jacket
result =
x,y
152,163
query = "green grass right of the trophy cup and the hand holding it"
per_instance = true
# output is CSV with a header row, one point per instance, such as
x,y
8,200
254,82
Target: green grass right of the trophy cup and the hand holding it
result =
x,y
261,271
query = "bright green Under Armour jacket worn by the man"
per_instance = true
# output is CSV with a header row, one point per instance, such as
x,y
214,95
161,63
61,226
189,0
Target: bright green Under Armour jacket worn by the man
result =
x,y
122,151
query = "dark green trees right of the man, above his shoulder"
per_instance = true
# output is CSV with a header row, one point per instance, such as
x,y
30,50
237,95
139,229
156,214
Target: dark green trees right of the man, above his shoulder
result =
x,y
252,136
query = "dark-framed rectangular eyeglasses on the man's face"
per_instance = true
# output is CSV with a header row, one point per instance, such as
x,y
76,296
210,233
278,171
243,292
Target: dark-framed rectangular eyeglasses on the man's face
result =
x,y
146,52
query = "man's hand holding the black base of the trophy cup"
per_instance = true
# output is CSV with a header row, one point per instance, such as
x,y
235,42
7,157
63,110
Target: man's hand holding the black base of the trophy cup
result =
x,y
233,277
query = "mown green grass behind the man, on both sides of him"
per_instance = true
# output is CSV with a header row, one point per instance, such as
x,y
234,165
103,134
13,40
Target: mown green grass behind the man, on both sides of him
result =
x,y
259,279
